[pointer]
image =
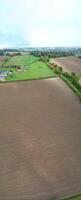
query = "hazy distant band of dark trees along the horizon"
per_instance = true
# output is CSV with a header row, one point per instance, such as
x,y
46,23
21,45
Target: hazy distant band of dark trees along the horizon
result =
x,y
49,52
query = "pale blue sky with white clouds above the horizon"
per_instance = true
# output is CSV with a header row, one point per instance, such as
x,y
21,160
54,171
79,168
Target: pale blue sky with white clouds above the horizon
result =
x,y
40,23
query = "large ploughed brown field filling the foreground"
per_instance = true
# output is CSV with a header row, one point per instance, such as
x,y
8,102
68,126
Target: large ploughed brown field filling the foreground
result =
x,y
40,140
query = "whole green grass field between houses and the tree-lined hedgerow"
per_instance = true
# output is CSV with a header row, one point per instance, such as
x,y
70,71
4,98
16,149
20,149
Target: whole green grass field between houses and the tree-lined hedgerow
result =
x,y
34,69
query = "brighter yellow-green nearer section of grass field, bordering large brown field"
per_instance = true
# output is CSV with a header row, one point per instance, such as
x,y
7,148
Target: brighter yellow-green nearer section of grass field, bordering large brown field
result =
x,y
35,70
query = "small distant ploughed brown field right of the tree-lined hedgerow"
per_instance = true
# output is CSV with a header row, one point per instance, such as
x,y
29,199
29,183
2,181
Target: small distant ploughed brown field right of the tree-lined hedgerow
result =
x,y
72,64
